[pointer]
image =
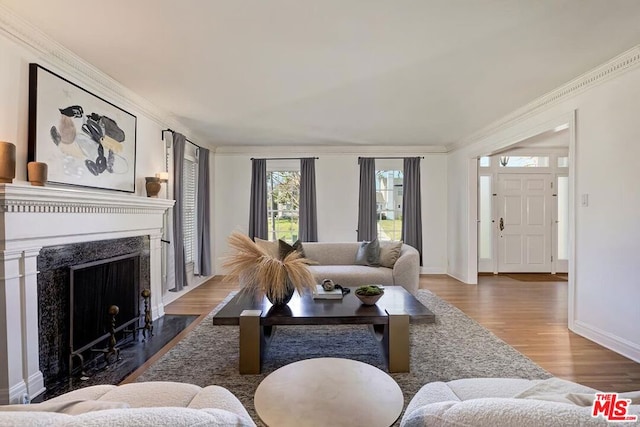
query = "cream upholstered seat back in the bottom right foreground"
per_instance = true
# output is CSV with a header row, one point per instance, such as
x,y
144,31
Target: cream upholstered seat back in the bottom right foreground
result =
x,y
507,402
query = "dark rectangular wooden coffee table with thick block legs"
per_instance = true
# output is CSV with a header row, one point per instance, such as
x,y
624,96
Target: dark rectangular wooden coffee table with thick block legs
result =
x,y
388,320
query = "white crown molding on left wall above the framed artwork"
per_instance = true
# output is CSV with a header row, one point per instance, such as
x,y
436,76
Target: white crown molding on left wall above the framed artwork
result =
x,y
54,54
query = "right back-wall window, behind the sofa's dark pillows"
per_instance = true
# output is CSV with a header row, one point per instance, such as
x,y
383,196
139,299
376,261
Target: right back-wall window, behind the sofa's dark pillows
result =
x,y
389,204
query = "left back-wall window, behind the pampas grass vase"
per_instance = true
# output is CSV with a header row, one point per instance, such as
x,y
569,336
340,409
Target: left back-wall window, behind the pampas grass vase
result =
x,y
283,201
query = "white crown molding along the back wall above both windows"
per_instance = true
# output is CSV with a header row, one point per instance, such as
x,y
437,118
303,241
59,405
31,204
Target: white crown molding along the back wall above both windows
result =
x,y
314,150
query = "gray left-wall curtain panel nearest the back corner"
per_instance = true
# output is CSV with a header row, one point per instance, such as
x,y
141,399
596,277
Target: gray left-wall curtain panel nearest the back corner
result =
x,y
203,242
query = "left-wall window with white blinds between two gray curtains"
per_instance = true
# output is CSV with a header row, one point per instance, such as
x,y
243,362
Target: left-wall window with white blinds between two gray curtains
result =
x,y
189,177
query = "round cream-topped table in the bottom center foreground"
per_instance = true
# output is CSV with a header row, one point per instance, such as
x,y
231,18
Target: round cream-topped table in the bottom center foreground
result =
x,y
328,392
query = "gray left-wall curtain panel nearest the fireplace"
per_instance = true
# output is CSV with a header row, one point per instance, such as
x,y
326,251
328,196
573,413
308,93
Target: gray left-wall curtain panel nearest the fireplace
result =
x,y
178,232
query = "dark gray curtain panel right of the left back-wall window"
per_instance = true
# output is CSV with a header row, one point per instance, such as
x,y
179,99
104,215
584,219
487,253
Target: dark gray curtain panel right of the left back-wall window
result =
x,y
308,206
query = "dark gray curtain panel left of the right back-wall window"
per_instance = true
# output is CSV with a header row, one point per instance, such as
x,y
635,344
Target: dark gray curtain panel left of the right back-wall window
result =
x,y
367,221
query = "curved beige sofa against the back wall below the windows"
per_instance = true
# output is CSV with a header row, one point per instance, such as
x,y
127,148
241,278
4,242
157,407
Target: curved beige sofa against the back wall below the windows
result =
x,y
336,261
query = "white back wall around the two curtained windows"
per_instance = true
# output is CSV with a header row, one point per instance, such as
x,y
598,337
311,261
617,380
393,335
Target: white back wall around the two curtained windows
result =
x,y
337,181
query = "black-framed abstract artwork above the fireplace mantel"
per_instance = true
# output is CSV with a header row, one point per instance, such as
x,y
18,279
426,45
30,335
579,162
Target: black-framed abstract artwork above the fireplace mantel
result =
x,y
84,140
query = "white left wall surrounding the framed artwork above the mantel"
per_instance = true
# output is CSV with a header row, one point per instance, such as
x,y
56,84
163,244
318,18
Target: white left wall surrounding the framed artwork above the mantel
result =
x,y
14,104
